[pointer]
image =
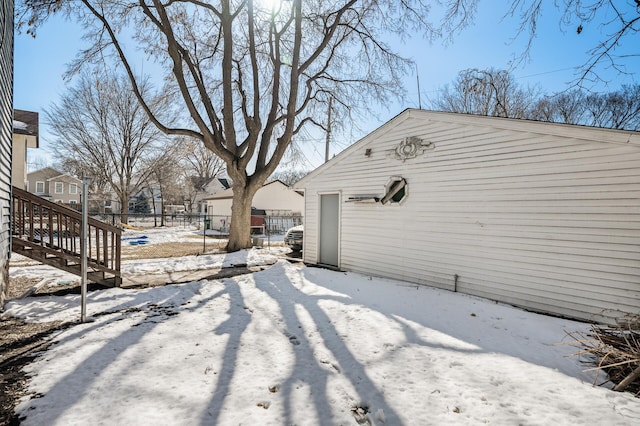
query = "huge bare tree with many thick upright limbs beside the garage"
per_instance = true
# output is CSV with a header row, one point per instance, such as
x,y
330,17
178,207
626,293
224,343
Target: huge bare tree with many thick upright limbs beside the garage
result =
x,y
252,76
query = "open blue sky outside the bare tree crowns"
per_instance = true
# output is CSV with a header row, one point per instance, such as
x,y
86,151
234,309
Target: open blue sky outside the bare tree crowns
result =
x,y
41,62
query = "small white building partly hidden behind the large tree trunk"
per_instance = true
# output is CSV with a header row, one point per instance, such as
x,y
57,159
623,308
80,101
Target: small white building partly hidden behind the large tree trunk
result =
x,y
273,199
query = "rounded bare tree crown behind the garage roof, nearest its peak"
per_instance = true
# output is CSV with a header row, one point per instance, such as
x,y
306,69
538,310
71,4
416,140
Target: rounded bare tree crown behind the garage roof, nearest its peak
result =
x,y
486,92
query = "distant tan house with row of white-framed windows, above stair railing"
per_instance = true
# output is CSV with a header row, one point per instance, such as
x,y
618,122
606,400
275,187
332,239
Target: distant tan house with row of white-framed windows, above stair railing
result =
x,y
55,186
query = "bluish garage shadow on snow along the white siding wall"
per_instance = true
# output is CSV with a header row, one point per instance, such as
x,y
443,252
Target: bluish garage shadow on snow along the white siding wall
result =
x,y
473,322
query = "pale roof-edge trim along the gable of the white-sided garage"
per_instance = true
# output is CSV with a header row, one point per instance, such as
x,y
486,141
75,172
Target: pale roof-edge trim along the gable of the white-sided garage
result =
x,y
597,134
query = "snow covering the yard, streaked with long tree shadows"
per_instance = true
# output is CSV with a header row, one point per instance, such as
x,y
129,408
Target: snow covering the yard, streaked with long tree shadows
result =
x,y
307,346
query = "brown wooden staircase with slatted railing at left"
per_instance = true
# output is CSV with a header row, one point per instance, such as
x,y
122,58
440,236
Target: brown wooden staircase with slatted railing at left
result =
x,y
50,233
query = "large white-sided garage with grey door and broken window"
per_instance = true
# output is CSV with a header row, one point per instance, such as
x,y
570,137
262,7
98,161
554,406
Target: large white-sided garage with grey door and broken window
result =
x,y
539,215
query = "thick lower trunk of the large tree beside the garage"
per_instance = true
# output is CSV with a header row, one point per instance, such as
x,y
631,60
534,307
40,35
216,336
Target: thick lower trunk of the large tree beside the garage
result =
x,y
240,228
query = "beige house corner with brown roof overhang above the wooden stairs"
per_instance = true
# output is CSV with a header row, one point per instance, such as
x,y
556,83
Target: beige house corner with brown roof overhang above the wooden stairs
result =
x,y
25,135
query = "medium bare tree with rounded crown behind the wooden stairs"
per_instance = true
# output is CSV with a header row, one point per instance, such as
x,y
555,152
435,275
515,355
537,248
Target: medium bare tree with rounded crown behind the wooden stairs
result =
x,y
102,131
